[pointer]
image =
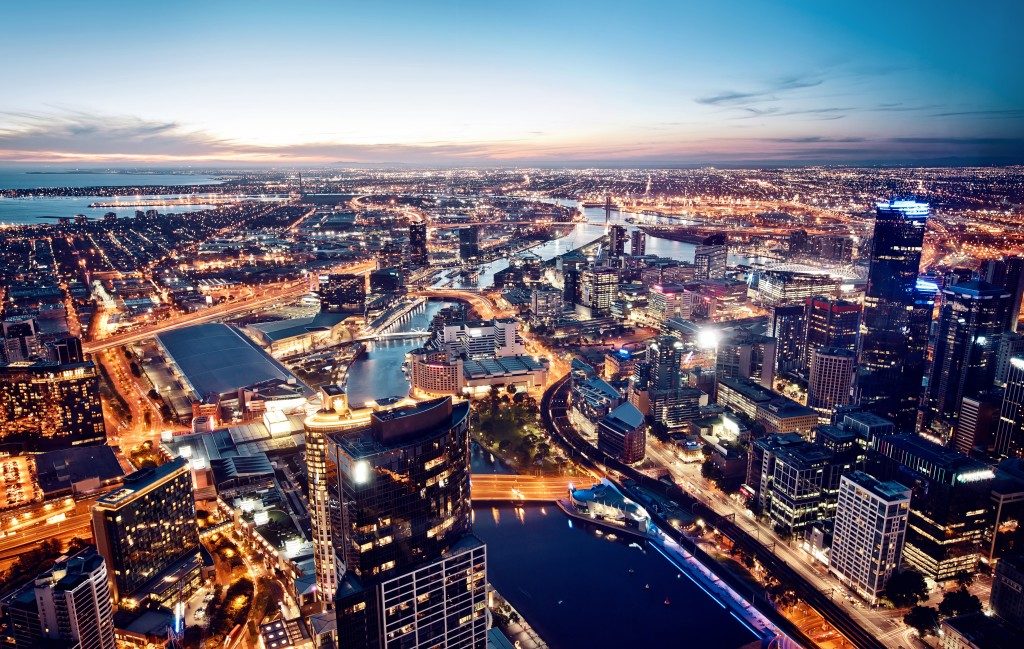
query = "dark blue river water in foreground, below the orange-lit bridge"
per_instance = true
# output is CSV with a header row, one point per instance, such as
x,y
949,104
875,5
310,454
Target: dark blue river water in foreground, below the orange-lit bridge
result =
x,y
576,588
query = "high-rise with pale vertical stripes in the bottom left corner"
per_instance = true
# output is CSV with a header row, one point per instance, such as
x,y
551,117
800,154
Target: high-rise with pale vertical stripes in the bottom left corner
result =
x,y
69,605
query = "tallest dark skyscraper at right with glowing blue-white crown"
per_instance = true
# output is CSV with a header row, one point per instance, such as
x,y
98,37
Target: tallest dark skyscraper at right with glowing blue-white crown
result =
x,y
891,359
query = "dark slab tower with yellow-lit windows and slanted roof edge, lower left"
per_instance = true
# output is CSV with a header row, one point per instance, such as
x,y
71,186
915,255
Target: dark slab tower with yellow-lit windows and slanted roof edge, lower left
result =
x,y
147,534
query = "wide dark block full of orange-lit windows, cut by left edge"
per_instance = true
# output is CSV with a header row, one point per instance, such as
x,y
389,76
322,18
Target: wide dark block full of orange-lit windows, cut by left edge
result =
x,y
47,406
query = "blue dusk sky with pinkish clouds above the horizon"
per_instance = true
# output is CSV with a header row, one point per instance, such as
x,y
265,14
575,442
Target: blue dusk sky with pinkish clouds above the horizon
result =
x,y
666,83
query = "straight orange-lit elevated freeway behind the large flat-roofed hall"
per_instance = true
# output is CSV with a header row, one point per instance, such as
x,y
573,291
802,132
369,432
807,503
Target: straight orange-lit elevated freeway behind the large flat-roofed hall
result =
x,y
263,297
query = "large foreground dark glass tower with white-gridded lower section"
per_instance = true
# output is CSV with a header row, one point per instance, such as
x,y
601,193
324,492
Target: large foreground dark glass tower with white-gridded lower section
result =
x,y
415,576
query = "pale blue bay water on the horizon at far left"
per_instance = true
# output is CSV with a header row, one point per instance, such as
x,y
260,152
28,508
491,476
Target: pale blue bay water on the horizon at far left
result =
x,y
30,210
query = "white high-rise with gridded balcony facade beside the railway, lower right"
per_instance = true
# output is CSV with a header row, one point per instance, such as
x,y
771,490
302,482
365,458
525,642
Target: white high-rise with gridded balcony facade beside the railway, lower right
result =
x,y
869,535
